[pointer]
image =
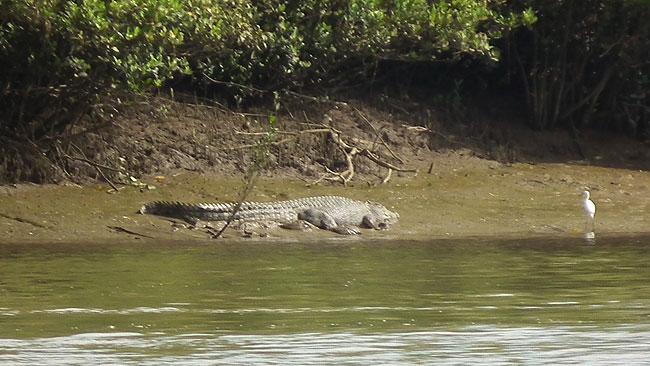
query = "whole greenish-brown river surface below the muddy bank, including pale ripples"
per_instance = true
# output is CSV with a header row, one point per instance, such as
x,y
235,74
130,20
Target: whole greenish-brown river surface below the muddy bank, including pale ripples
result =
x,y
340,301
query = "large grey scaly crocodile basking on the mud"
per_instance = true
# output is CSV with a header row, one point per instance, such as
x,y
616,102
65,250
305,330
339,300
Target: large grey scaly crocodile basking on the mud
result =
x,y
338,214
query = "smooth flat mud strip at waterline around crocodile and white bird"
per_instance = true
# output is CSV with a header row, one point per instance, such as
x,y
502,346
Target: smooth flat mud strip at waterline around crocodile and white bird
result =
x,y
461,197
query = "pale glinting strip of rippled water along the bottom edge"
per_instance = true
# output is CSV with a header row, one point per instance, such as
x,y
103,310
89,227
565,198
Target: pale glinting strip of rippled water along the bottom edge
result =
x,y
473,345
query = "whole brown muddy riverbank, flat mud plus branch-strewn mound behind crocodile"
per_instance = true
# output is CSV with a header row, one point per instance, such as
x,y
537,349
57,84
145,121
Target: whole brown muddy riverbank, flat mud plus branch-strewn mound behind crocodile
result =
x,y
487,176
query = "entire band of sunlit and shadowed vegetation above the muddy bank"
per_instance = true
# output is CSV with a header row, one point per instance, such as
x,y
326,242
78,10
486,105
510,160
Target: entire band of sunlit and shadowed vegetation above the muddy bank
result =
x,y
574,63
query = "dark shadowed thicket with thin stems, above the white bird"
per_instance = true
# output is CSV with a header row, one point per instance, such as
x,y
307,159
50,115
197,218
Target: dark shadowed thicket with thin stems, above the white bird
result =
x,y
586,62
